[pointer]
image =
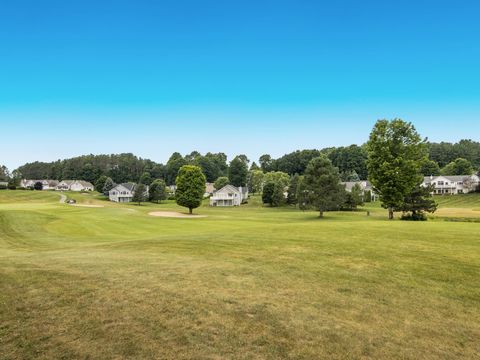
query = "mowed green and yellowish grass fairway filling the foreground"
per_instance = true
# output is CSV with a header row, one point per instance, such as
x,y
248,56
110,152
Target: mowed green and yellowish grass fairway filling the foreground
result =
x,y
242,283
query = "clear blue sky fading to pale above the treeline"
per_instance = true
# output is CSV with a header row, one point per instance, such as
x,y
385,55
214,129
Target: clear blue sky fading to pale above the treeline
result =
x,y
252,77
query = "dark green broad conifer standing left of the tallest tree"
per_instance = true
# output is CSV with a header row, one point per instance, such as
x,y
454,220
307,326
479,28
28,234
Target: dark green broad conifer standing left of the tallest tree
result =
x,y
322,184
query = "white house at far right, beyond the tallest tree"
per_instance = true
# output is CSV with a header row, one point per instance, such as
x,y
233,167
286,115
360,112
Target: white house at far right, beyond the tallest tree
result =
x,y
459,184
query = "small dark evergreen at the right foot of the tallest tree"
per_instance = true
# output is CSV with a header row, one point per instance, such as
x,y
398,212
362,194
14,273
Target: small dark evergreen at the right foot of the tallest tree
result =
x,y
416,203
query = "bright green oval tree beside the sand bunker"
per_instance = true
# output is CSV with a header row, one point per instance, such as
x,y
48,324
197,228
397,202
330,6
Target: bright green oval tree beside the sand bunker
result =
x,y
190,187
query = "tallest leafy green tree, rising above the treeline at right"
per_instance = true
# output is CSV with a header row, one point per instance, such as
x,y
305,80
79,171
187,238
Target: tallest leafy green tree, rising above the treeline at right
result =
x,y
396,153
